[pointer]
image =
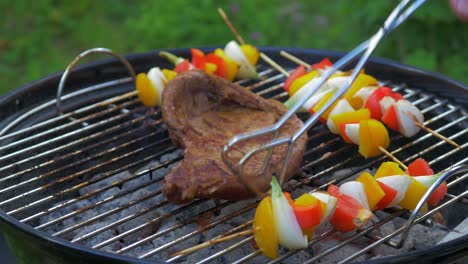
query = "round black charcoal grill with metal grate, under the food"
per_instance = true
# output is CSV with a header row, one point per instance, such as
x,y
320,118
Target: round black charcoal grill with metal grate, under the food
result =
x,y
48,162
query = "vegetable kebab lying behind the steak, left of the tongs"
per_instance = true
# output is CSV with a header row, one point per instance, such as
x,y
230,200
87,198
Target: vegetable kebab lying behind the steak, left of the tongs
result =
x,y
235,61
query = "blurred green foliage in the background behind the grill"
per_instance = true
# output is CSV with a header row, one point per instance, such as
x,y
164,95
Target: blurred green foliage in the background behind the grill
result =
x,y
40,37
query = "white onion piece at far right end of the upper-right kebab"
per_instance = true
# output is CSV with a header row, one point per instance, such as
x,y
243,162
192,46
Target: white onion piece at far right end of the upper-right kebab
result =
x,y
406,113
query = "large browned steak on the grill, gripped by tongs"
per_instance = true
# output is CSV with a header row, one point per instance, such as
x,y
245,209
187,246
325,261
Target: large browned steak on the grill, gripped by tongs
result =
x,y
202,113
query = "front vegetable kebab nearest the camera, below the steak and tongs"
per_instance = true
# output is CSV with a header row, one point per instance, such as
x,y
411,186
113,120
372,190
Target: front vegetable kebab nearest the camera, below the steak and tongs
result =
x,y
281,221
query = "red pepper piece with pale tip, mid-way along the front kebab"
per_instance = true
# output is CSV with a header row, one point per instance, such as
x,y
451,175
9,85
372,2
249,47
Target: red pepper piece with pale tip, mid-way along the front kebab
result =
x,y
349,213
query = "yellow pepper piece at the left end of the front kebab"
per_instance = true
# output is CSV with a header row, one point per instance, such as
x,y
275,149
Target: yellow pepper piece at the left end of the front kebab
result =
x,y
264,229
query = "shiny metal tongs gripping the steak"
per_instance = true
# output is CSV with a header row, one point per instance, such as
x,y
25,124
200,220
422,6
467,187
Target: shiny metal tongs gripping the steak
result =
x,y
396,18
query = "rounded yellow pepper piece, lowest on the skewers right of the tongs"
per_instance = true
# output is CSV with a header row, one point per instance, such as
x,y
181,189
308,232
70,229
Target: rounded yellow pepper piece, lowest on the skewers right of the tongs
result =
x,y
372,135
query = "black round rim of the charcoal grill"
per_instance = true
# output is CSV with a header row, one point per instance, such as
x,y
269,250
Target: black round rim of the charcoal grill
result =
x,y
142,61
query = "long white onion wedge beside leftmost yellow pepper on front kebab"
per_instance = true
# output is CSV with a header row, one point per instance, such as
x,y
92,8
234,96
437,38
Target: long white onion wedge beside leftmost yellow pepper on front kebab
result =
x,y
289,232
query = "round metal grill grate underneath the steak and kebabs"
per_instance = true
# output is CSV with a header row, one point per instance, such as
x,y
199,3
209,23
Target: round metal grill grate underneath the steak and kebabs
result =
x,y
64,176
